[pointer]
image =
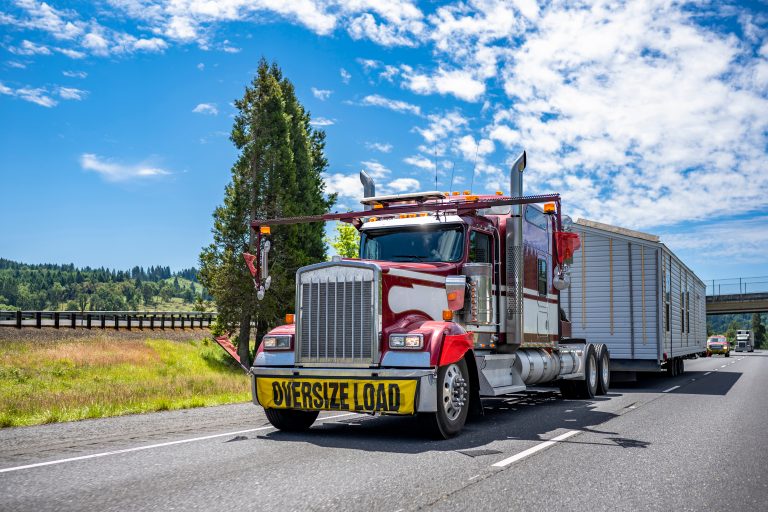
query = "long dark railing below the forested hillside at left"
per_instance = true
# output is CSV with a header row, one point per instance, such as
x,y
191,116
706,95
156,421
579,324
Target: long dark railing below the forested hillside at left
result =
x,y
107,319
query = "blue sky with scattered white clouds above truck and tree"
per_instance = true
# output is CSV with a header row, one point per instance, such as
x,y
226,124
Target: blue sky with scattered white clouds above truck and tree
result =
x,y
649,115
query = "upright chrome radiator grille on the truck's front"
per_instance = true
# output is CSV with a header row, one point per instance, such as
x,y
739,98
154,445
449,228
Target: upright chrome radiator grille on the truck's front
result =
x,y
338,314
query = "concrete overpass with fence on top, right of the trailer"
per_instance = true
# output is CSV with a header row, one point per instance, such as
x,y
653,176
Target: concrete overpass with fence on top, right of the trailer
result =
x,y
737,295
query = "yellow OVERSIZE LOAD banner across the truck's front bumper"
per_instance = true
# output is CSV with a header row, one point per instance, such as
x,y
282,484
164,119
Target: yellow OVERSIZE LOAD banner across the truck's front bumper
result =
x,y
356,395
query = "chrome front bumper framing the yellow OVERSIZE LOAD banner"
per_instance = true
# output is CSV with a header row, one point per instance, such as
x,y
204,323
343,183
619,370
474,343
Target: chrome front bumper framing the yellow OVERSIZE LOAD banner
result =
x,y
426,401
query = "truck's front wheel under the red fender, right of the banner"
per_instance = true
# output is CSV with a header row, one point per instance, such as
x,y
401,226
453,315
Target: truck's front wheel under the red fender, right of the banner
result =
x,y
453,396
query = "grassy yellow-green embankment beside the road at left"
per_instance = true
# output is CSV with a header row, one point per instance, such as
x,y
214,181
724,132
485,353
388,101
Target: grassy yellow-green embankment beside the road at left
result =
x,y
73,379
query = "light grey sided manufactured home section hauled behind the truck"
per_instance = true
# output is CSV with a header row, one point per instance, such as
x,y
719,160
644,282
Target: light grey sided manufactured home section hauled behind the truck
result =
x,y
618,292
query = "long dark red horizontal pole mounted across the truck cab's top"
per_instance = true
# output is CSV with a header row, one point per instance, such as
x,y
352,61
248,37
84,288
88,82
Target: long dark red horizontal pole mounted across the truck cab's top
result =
x,y
461,205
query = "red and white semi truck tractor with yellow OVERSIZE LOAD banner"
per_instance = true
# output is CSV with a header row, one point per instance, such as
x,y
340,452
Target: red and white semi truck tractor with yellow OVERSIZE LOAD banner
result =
x,y
455,297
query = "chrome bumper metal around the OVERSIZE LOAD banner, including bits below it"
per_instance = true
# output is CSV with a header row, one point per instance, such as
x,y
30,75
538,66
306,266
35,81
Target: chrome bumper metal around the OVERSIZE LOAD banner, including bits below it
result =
x,y
425,399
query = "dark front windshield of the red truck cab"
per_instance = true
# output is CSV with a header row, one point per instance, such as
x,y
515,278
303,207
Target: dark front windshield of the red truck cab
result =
x,y
418,243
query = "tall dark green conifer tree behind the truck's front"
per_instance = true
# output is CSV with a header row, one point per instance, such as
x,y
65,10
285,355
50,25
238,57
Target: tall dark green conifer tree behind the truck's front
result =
x,y
278,173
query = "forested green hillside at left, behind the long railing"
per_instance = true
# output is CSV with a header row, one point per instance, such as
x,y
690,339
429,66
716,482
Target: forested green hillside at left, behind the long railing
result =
x,y
66,287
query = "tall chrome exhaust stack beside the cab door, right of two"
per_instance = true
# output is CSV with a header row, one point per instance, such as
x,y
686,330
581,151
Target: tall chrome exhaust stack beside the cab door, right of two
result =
x,y
515,265
